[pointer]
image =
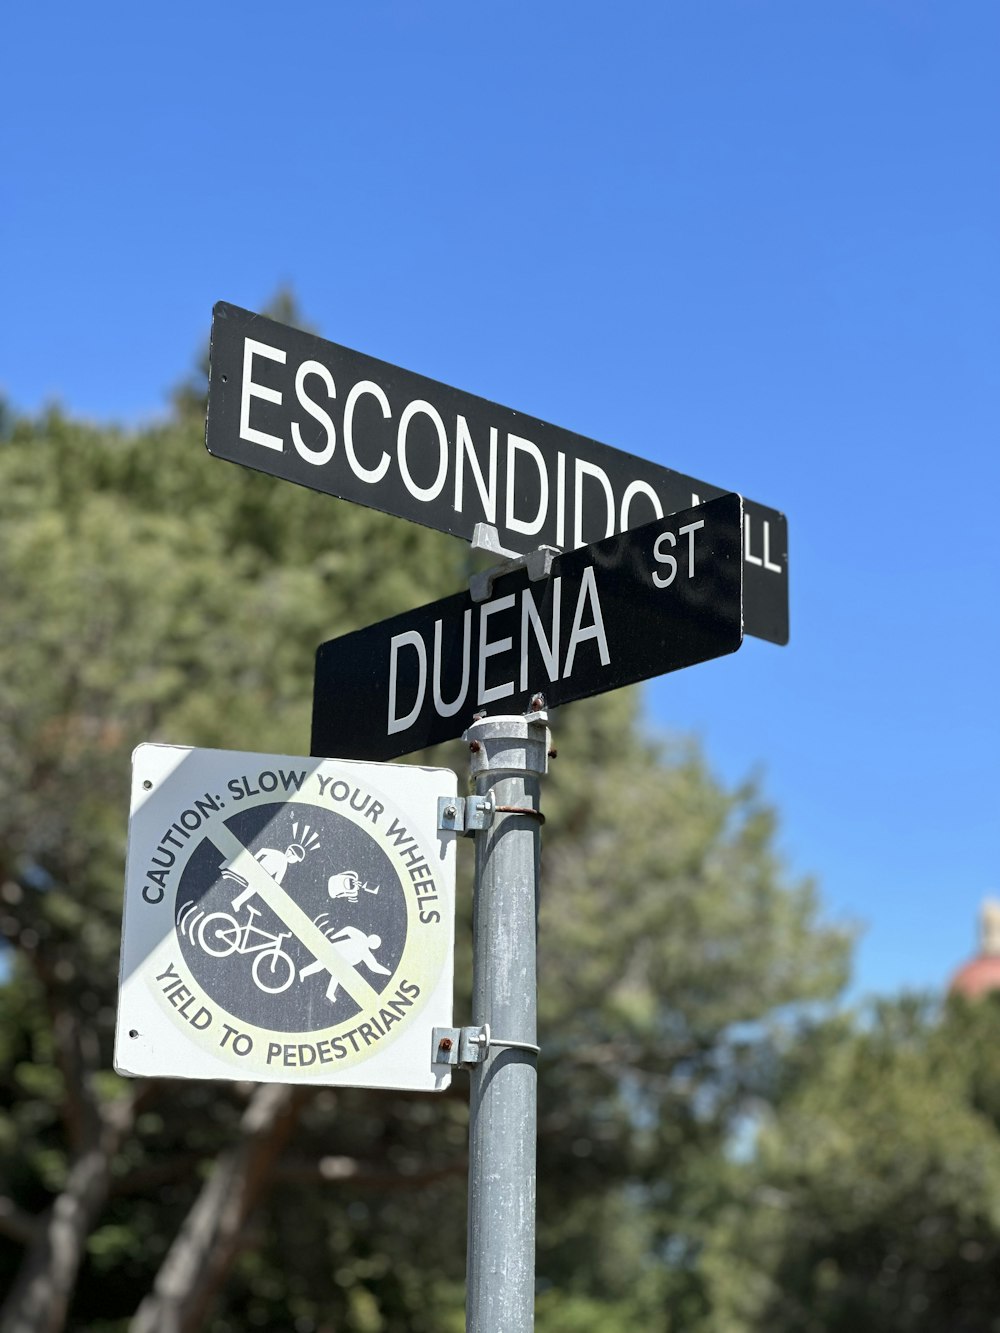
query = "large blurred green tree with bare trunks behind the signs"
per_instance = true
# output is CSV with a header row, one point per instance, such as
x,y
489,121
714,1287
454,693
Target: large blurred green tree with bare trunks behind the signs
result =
x,y
151,594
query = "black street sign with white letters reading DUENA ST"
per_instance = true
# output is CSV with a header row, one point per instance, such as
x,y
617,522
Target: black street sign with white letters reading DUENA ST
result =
x,y
643,603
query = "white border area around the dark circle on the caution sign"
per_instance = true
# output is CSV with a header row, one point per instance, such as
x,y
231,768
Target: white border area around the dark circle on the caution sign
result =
x,y
155,1036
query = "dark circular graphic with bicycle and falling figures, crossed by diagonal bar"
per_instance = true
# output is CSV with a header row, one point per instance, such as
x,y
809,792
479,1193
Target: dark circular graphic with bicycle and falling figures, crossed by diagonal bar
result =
x,y
299,939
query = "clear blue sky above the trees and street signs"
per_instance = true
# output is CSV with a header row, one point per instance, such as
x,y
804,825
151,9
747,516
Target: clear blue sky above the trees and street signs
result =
x,y
755,242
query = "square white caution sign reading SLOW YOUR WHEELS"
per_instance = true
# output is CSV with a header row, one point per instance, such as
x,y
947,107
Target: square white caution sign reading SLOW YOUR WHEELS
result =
x,y
287,920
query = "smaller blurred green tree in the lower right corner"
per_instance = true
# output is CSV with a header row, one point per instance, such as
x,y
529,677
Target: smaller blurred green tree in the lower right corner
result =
x,y
873,1202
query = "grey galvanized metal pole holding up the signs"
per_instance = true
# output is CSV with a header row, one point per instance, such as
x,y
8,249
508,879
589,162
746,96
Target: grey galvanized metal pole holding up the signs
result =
x,y
509,756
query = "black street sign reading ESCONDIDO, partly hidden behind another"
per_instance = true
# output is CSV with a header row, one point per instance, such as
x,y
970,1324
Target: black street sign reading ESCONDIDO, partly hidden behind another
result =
x,y
298,407
